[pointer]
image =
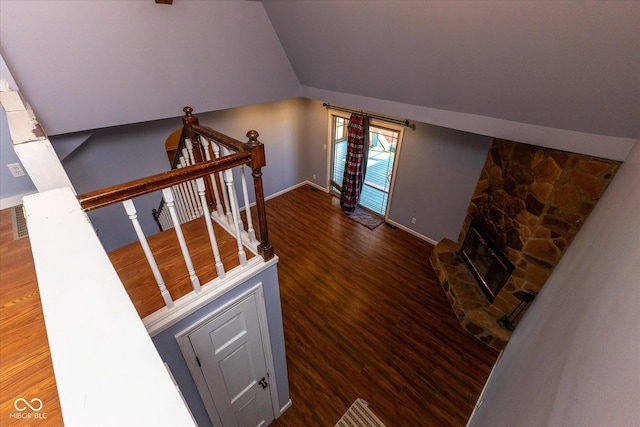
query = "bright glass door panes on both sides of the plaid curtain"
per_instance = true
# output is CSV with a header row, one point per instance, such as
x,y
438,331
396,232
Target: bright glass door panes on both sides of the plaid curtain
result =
x,y
384,141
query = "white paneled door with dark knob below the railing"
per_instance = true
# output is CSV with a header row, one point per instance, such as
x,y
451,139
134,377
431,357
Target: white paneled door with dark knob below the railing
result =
x,y
231,357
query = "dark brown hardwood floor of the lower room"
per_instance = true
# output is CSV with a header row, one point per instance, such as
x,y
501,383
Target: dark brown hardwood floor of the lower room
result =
x,y
365,316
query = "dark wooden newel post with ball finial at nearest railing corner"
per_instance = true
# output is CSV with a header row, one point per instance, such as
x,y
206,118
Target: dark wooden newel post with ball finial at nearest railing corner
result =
x,y
257,162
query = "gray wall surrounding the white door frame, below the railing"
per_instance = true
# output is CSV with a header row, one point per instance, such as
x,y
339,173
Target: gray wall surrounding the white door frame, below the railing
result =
x,y
168,348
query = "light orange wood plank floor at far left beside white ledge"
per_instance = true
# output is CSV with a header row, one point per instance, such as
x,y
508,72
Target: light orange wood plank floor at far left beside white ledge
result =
x,y
25,361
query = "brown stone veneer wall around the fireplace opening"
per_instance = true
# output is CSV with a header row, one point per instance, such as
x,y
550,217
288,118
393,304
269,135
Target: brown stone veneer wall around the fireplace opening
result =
x,y
531,201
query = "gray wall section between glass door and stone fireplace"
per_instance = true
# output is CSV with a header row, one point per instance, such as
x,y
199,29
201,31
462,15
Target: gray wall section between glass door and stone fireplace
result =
x,y
437,172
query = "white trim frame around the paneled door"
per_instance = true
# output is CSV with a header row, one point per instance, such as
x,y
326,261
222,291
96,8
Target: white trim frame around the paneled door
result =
x,y
189,355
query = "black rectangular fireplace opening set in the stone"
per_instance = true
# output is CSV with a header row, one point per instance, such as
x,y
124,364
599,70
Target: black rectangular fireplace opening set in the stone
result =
x,y
488,265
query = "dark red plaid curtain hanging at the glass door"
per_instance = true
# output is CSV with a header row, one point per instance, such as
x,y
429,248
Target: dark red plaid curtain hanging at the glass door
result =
x,y
355,163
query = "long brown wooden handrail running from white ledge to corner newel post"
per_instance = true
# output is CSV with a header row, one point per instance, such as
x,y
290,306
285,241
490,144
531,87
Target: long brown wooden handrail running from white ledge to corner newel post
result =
x,y
121,192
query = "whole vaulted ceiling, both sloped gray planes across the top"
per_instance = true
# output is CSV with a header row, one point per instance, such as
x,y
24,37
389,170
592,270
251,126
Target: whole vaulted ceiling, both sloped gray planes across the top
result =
x,y
525,70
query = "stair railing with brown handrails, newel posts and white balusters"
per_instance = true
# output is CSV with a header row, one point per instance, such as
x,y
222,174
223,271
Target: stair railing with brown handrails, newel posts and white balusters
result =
x,y
184,191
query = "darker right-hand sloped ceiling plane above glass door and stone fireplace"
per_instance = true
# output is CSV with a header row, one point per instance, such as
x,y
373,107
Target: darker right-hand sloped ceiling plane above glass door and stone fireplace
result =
x,y
567,65
